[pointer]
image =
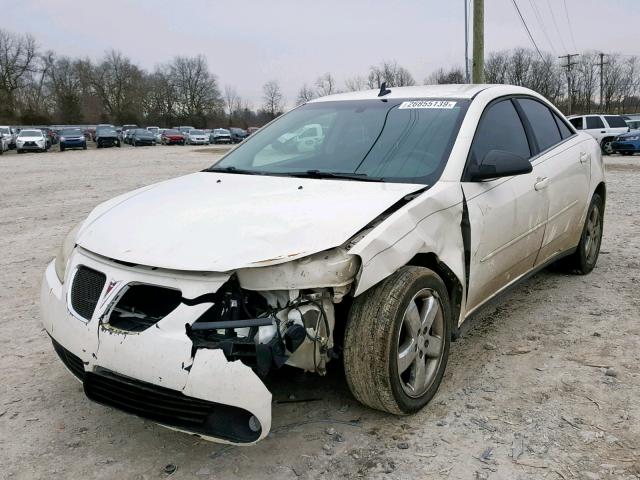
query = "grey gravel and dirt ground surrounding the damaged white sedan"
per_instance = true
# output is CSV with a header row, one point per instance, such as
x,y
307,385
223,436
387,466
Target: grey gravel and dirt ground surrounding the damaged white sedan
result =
x,y
544,385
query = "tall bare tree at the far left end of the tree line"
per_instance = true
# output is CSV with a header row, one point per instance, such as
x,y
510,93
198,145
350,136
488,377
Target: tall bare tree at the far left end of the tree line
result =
x,y
18,56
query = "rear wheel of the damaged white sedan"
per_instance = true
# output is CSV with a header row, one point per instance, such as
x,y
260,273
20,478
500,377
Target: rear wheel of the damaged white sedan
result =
x,y
586,255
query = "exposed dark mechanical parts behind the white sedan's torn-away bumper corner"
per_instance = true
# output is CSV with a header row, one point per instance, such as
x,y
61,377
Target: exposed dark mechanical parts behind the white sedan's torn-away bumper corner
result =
x,y
266,330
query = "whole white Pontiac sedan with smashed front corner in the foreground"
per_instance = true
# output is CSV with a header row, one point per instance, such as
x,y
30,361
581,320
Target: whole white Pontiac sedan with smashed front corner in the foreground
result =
x,y
415,207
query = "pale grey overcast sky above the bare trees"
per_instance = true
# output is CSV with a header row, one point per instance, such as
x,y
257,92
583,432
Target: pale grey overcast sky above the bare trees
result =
x,y
248,42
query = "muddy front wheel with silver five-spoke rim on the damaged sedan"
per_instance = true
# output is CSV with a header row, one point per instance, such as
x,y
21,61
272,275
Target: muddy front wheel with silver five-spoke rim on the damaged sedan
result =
x,y
397,341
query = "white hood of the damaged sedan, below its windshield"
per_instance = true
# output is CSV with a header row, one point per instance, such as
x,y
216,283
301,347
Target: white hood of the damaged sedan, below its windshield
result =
x,y
219,222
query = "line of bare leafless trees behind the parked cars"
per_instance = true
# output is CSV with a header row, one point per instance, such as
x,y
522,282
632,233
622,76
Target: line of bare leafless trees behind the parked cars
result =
x,y
41,87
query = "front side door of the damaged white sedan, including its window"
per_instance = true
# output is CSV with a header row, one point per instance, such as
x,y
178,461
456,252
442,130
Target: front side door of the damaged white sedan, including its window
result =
x,y
507,216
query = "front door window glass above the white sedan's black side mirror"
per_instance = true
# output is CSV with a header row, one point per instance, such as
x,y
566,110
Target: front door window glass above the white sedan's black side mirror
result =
x,y
500,128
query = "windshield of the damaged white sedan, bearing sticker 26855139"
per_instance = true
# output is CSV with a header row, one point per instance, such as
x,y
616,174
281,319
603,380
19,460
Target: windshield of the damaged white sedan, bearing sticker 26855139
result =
x,y
401,141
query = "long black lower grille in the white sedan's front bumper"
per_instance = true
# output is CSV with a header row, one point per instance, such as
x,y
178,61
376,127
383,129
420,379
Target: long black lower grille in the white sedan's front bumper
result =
x,y
170,407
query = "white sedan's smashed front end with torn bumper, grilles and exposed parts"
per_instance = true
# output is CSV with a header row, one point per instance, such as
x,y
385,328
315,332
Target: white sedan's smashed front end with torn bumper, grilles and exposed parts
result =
x,y
188,350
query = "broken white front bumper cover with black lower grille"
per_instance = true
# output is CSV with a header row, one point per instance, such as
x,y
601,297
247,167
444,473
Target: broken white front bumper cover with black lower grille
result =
x,y
156,373
